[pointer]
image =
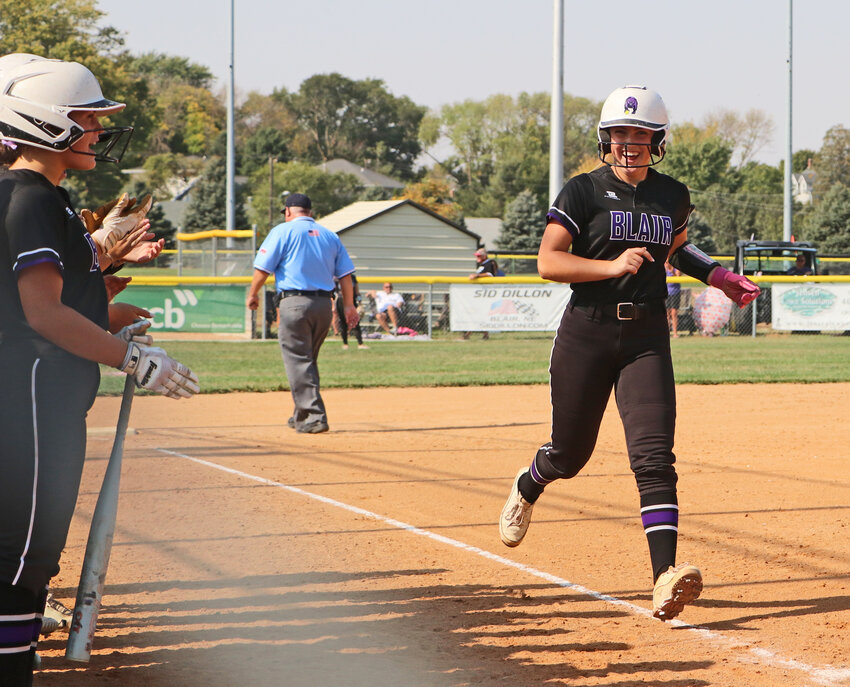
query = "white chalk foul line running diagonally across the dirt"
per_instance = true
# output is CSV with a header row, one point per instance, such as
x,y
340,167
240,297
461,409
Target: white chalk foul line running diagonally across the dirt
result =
x,y
824,675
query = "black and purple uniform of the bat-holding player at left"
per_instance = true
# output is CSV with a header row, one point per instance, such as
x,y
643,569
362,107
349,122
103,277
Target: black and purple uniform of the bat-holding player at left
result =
x,y
46,395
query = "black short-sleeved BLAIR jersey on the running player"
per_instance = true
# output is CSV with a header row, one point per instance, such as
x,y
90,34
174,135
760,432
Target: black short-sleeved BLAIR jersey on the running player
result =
x,y
605,216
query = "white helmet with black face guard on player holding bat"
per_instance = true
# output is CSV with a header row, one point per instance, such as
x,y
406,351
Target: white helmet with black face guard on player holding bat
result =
x,y
38,94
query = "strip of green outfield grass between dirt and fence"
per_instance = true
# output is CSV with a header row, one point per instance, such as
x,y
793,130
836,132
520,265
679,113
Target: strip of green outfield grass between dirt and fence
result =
x,y
503,359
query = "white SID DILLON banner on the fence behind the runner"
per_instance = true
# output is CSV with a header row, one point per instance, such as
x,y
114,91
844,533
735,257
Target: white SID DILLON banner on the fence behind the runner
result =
x,y
507,307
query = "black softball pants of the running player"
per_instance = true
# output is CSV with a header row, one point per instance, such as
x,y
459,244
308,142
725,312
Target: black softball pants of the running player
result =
x,y
592,354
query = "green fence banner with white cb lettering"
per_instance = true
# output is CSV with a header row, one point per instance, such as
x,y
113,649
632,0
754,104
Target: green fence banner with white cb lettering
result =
x,y
191,308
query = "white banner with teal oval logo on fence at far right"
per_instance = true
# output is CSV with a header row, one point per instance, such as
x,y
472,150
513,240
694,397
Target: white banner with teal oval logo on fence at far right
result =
x,y
811,307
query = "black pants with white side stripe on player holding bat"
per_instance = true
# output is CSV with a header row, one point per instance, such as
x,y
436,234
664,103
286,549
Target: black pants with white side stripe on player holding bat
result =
x,y
43,428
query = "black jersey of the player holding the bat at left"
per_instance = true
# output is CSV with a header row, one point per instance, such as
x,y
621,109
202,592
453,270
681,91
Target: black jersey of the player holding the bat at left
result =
x,y
38,224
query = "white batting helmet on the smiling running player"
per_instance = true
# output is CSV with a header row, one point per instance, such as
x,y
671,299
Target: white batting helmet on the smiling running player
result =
x,y
634,106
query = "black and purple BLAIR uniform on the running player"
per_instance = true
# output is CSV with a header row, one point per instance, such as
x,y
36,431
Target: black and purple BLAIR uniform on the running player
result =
x,y
614,335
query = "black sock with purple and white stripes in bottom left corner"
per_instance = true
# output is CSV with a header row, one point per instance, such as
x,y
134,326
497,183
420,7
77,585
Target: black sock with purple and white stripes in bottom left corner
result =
x,y
20,625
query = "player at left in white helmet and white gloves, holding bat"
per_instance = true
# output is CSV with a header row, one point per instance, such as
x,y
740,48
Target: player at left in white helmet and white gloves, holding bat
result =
x,y
54,330
